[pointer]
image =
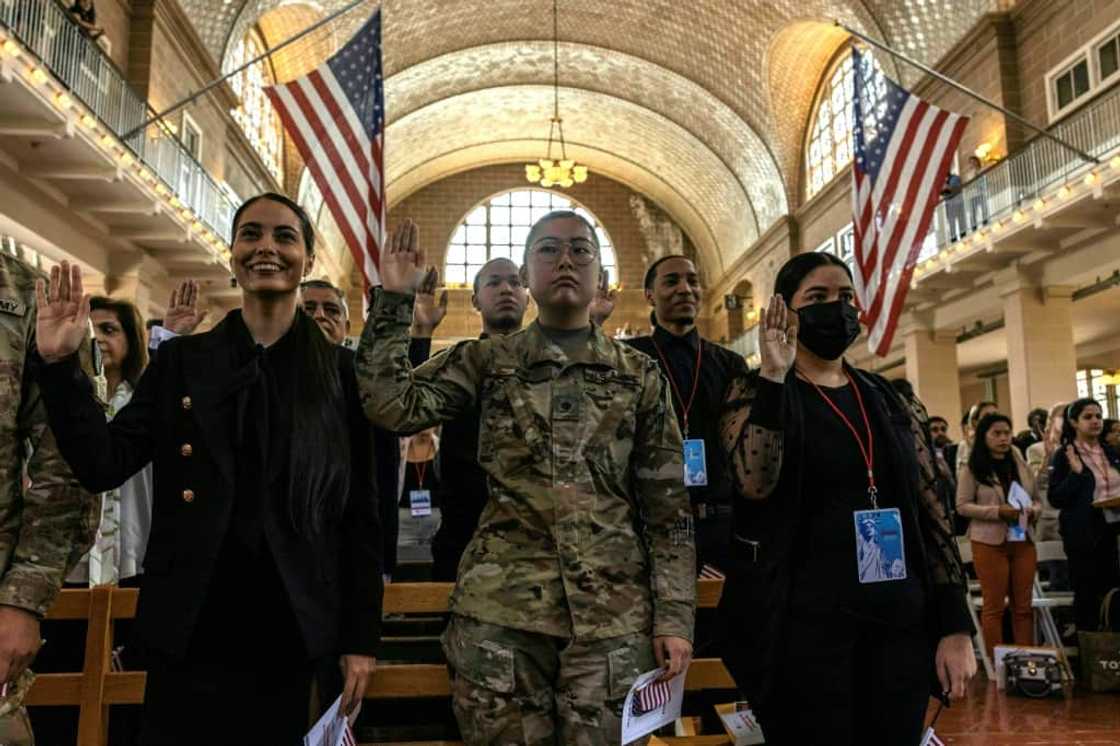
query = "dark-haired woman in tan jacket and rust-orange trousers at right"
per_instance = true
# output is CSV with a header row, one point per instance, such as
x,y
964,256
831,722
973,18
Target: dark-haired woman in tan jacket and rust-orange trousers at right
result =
x,y
1002,534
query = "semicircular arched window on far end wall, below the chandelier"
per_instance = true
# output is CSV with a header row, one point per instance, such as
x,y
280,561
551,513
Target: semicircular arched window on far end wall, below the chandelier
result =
x,y
499,228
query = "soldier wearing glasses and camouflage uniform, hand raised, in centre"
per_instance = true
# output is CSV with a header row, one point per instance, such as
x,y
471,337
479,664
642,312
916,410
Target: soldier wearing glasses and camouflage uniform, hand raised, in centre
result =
x,y
581,575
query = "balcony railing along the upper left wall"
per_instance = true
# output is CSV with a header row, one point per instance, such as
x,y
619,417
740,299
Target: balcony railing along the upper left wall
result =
x,y
82,67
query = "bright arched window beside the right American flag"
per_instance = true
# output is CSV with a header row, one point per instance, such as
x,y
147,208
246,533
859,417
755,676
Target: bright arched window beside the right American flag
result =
x,y
829,150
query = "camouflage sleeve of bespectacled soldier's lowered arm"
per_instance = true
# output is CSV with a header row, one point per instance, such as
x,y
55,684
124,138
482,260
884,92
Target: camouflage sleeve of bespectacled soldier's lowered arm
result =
x,y
667,517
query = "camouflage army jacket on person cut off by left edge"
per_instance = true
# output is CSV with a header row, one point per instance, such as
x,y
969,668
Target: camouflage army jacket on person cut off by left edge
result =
x,y
46,527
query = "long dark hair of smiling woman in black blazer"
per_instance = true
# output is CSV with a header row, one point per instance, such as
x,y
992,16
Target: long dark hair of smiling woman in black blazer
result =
x,y
319,468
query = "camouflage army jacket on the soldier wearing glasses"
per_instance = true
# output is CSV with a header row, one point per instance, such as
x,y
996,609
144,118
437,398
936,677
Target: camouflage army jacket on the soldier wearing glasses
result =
x,y
587,534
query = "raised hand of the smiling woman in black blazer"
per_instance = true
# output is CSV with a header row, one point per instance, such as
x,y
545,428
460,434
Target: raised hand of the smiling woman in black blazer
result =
x,y
64,315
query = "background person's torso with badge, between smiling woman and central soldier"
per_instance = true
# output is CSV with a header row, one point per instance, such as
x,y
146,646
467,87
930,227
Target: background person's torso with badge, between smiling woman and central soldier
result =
x,y
417,497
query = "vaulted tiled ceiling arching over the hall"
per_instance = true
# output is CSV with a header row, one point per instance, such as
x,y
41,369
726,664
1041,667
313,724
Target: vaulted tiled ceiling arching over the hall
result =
x,y
701,106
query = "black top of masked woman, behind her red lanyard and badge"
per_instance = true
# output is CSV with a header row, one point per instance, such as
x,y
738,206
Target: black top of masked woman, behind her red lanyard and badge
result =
x,y
825,576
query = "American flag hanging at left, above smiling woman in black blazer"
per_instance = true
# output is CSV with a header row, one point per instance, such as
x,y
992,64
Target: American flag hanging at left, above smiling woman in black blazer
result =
x,y
337,117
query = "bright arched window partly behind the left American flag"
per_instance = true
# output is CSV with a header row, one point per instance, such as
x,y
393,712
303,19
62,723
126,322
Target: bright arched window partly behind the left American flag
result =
x,y
256,116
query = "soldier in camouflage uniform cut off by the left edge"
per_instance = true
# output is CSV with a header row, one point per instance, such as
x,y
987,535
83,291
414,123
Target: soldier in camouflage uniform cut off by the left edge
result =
x,y
48,521
